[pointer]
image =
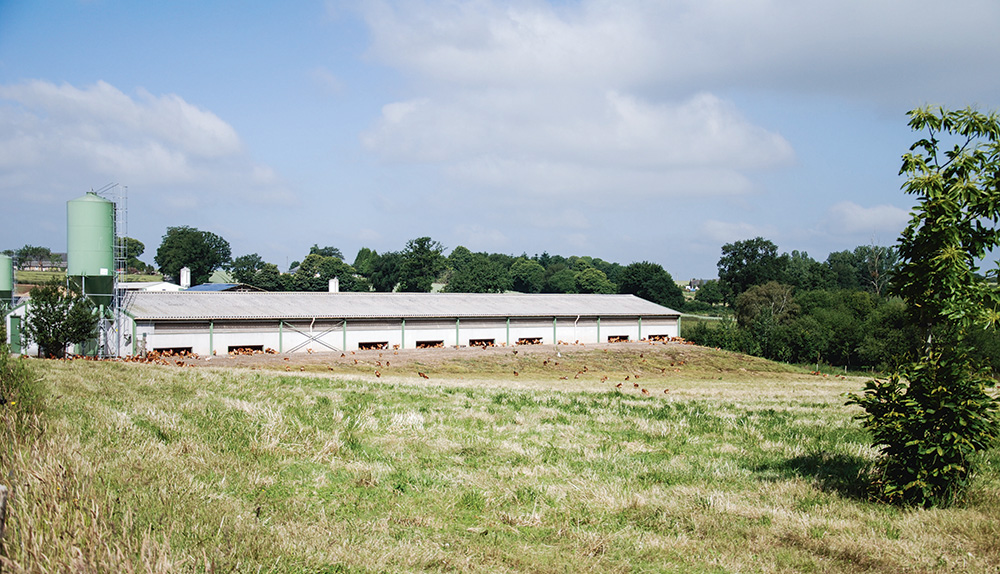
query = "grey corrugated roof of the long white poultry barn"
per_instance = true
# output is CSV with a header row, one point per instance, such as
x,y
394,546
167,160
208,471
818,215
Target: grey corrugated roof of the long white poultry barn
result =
x,y
270,305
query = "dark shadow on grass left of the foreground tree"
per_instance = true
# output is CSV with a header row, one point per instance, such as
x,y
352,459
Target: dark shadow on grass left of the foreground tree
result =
x,y
846,475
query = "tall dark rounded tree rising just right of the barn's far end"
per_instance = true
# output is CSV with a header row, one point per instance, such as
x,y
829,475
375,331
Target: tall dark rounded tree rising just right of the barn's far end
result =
x,y
747,263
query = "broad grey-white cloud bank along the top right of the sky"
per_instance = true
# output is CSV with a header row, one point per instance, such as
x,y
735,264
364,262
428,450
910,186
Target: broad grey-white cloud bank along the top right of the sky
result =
x,y
854,46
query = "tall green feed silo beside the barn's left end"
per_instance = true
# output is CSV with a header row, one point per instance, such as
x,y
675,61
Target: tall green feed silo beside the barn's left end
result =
x,y
90,258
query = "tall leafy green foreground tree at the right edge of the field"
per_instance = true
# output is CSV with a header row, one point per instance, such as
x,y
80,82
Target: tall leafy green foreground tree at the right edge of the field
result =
x,y
932,418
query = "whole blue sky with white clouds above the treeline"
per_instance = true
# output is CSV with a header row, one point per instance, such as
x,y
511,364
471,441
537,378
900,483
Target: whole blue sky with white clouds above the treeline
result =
x,y
625,130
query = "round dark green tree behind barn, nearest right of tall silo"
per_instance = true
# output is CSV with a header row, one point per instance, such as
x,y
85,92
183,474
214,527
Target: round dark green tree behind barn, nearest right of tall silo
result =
x,y
200,251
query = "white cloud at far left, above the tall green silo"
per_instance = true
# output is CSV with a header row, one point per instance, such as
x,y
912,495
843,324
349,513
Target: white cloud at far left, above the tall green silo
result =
x,y
63,137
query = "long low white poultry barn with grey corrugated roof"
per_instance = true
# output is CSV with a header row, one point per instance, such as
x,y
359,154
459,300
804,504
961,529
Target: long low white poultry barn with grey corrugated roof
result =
x,y
218,322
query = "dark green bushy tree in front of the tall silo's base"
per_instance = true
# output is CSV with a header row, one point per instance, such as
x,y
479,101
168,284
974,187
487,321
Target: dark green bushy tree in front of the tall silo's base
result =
x,y
58,317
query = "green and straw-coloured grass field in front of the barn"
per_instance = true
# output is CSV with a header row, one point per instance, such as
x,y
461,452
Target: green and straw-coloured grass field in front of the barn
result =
x,y
740,466
